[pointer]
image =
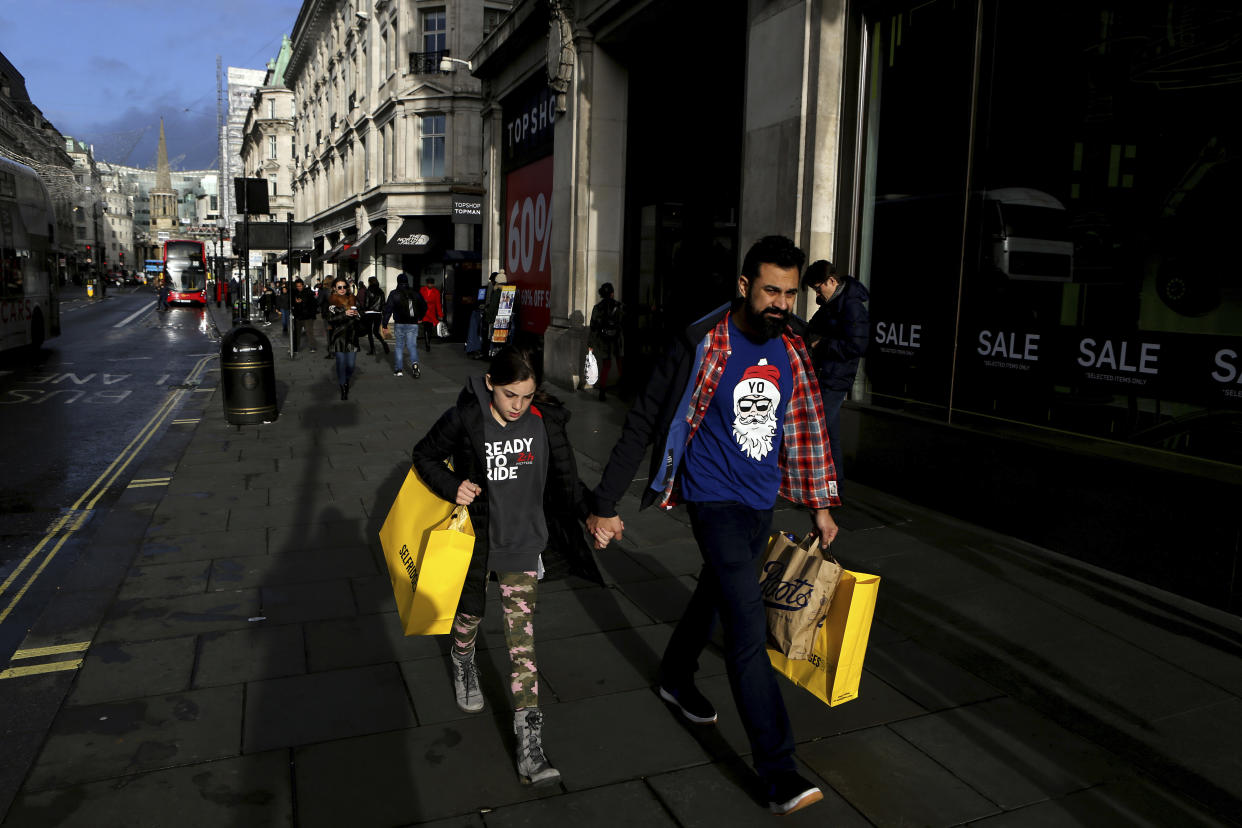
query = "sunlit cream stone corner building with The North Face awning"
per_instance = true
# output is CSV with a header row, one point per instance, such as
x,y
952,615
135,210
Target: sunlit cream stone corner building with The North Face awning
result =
x,y
386,142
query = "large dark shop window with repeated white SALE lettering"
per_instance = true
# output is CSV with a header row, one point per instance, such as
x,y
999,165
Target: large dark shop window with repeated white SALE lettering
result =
x,y
1045,219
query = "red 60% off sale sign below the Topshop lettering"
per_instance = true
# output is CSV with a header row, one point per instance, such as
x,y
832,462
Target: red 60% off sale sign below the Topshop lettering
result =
x,y
528,241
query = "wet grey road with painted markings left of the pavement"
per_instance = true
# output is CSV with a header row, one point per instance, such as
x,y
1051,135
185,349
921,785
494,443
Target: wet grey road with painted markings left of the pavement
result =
x,y
73,415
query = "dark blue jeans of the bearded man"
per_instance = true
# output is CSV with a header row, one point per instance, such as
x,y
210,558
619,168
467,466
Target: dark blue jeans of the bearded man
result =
x,y
732,537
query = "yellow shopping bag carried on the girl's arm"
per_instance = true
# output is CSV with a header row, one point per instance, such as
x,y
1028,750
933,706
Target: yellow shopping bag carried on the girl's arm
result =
x,y
428,544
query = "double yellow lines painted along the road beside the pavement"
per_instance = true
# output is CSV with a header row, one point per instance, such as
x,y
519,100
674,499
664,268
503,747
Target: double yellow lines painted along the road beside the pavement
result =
x,y
76,516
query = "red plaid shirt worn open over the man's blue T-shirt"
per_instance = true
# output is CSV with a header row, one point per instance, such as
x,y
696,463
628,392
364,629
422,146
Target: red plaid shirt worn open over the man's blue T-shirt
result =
x,y
809,477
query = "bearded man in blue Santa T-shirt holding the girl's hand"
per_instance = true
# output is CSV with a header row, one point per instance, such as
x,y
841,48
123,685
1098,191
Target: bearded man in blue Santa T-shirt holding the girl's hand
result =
x,y
728,455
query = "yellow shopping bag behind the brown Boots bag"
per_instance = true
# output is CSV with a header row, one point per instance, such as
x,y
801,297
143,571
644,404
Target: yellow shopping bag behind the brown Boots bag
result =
x,y
834,667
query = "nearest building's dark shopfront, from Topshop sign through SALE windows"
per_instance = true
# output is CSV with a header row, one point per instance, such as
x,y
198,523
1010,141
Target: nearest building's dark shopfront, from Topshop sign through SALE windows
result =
x,y
1046,254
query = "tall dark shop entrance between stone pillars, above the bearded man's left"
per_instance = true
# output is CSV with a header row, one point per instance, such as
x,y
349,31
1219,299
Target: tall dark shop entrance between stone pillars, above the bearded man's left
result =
x,y
684,171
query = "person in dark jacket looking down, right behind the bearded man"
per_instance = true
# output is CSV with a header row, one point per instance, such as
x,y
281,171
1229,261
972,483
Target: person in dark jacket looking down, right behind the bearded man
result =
x,y
838,336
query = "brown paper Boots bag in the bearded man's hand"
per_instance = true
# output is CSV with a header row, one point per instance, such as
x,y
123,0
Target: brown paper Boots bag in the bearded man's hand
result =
x,y
798,583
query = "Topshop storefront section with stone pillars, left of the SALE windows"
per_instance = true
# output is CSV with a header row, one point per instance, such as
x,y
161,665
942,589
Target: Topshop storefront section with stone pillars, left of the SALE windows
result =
x,y
651,156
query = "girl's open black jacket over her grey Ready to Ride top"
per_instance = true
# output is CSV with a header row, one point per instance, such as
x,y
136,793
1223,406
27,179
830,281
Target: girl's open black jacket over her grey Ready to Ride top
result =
x,y
459,436
